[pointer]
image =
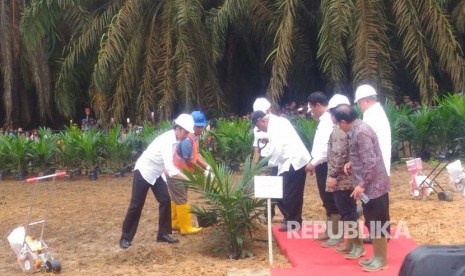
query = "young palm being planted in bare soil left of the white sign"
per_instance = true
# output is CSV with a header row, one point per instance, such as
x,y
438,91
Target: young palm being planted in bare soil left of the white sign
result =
x,y
231,202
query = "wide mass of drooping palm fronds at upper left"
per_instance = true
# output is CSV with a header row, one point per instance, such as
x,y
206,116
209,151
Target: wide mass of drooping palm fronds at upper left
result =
x,y
143,55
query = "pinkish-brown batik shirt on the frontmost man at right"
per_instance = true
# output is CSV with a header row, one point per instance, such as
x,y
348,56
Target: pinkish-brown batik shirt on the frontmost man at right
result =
x,y
367,162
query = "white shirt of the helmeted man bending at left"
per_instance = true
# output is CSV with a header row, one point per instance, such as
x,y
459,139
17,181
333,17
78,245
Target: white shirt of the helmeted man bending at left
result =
x,y
158,157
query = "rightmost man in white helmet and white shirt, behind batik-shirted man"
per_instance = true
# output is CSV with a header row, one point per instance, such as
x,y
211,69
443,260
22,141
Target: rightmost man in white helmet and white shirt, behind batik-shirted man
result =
x,y
375,117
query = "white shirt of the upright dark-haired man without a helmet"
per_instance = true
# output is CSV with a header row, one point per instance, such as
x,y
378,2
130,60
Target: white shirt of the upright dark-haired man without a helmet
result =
x,y
320,142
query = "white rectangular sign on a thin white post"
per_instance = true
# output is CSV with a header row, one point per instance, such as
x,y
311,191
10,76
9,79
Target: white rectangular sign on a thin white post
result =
x,y
269,187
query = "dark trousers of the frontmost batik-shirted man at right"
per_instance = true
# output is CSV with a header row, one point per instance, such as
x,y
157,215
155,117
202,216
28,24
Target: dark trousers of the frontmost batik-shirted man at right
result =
x,y
377,210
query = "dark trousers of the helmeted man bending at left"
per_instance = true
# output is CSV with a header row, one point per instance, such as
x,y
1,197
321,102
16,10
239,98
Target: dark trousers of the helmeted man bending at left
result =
x,y
140,187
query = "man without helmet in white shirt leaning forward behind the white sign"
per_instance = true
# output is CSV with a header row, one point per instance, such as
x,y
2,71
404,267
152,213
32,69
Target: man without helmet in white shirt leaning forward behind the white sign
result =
x,y
288,153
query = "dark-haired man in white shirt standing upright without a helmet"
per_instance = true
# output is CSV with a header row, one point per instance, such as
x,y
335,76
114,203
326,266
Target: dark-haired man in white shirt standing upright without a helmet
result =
x,y
318,104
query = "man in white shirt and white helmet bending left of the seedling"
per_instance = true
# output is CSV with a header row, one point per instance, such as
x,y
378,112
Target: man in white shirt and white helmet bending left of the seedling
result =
x,y
150,172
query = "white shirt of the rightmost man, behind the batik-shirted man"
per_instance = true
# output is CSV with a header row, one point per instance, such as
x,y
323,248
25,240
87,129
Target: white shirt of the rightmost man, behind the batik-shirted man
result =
x,y
376,118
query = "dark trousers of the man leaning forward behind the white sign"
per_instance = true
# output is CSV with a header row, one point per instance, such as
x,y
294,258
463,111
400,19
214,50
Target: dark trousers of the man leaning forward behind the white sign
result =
x,y
293,194
